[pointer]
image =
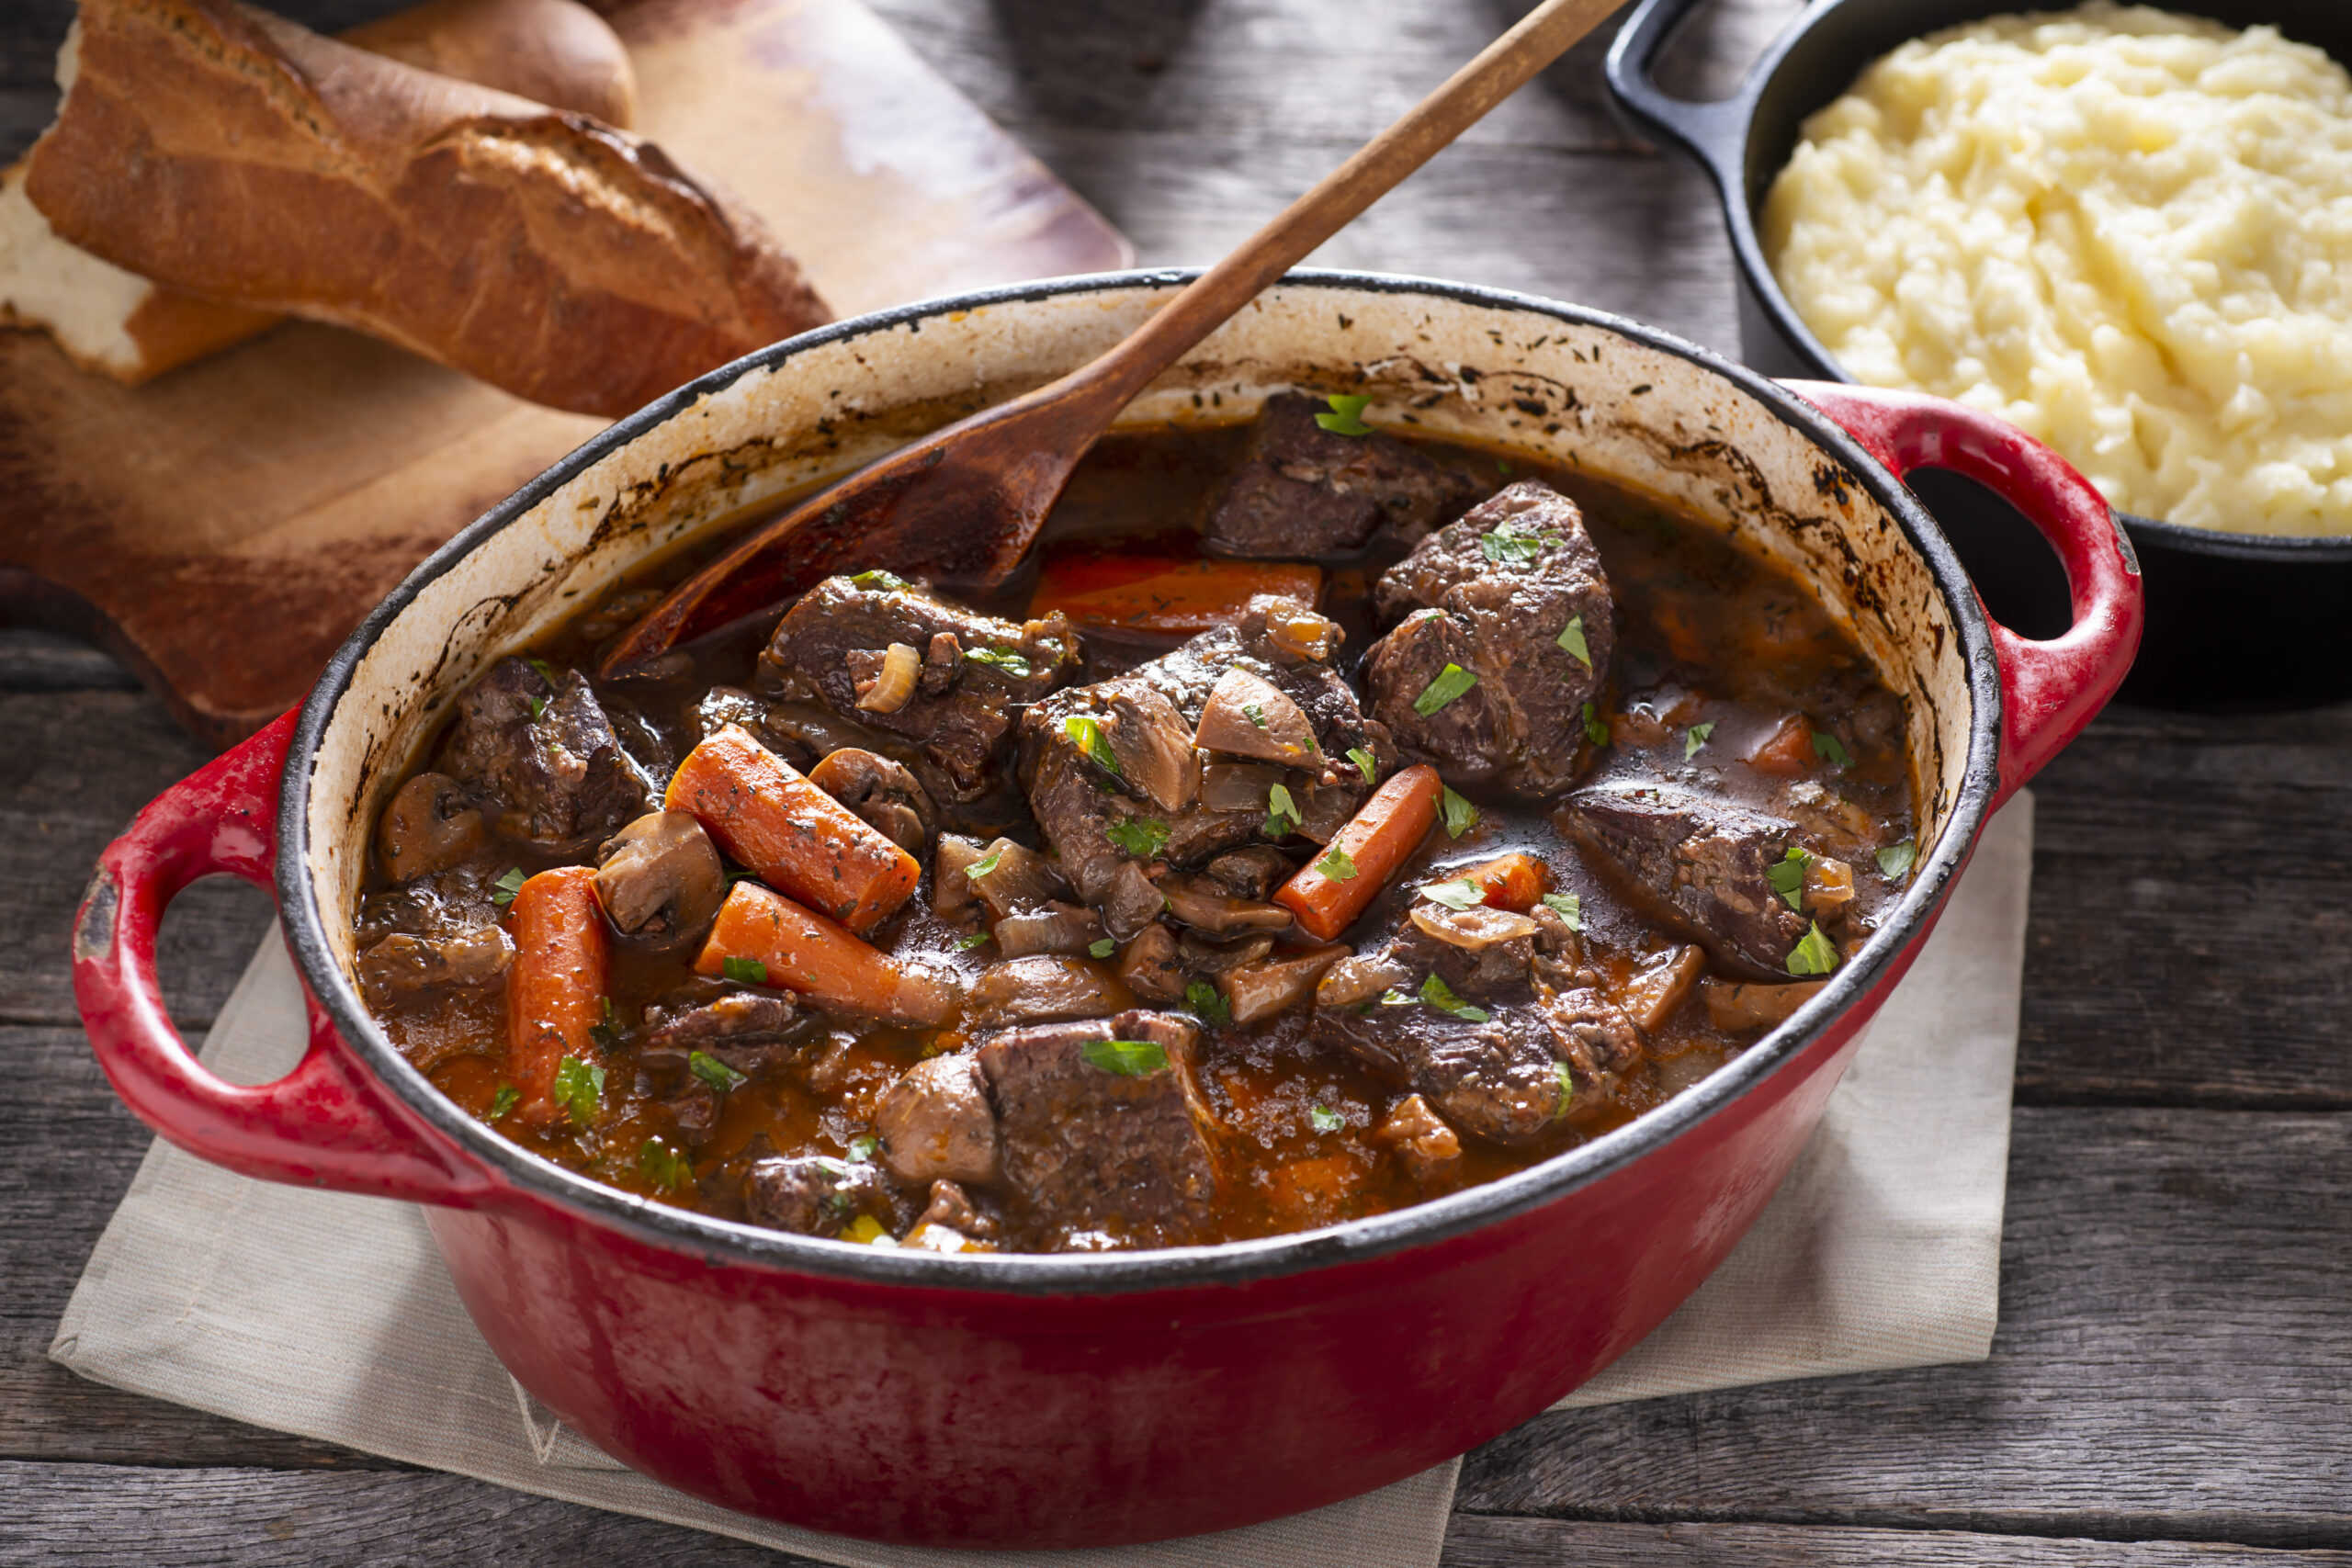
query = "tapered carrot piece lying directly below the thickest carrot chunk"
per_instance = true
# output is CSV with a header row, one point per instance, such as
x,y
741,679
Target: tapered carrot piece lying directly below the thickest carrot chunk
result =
x,y
768,939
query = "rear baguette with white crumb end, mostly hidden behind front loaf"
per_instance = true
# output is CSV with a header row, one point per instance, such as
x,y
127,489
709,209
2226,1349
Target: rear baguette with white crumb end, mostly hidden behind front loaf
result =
x,y
131,328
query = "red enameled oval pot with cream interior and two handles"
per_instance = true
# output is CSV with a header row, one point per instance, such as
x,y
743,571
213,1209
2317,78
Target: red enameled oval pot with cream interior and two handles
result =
x,y
1083,1400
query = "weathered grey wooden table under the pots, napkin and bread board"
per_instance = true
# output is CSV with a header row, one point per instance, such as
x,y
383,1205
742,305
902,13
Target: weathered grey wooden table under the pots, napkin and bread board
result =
x,y
2177,1273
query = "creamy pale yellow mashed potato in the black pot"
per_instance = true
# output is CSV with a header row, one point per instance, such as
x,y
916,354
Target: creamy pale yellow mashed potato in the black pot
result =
x,y
2120,229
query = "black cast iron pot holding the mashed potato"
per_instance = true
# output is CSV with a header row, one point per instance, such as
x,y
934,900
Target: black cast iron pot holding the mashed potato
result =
x,y
2198,579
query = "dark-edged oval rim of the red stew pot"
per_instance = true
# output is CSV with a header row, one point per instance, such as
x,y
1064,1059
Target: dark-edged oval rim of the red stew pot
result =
x,y
1234,1264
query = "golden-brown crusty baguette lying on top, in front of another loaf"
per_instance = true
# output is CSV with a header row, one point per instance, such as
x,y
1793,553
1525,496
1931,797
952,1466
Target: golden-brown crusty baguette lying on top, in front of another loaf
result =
x,y
236,156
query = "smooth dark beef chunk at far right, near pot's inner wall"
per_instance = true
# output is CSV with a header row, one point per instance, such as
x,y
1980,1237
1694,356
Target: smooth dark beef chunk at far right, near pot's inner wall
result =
x,y
1699,866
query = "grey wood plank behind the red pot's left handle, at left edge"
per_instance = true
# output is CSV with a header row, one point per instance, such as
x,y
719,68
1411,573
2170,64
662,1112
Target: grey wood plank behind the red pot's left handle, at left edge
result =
x,y
74,772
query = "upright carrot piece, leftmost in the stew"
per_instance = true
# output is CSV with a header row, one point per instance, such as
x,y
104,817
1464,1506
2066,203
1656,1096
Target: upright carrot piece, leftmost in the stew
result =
x,y
554,989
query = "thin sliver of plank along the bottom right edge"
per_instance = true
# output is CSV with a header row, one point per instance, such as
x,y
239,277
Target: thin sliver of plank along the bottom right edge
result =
x,y
1476,1541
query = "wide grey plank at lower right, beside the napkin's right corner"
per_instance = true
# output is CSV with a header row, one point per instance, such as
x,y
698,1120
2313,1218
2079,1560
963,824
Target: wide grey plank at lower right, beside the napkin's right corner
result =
x,y
2170,1367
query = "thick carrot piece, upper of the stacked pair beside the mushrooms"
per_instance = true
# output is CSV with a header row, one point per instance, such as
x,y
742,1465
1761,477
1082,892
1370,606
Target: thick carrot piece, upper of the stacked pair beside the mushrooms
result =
x,y
799,838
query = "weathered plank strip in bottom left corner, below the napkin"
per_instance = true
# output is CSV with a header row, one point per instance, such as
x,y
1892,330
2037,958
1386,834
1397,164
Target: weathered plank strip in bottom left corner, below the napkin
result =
x,y
102,1515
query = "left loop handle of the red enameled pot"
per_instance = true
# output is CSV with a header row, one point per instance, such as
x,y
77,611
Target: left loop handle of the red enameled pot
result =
x,y
326,1125
